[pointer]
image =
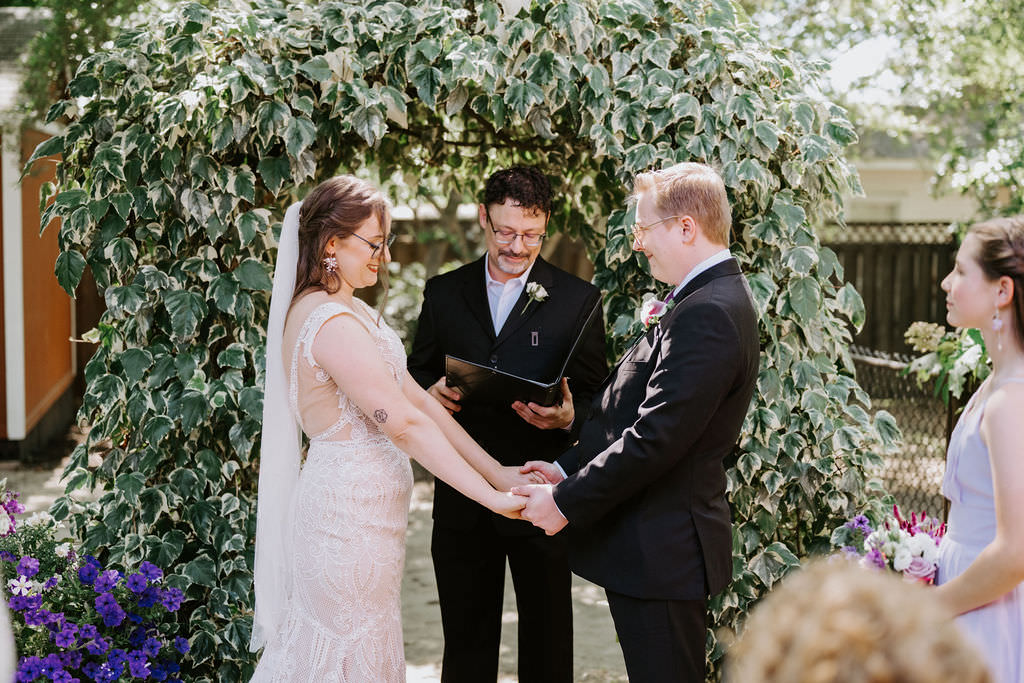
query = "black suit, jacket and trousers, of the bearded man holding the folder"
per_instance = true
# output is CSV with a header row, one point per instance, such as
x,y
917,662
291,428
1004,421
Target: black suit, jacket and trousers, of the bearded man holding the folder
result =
x,y
456,320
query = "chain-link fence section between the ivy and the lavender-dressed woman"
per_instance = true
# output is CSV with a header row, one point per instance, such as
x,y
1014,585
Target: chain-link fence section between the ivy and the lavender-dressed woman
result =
x,y
914,476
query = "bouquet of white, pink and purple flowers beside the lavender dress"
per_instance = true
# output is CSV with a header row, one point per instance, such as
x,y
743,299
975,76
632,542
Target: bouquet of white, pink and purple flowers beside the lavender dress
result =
x,y
910,547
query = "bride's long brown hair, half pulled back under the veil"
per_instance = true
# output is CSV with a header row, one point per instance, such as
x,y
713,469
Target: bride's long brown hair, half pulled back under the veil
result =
x,y
335,208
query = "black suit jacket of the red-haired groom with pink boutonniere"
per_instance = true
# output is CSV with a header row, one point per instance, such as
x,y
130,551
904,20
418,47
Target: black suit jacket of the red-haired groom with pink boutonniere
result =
x,y
646,497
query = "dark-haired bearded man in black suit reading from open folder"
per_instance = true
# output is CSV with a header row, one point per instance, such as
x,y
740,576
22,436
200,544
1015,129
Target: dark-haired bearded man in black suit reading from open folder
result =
x,y
513,311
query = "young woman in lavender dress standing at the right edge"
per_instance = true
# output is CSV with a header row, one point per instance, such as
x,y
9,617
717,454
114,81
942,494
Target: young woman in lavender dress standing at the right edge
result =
x,y
982,560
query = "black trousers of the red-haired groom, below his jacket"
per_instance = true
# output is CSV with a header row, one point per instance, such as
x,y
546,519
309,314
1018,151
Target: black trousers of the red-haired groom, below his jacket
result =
x,y
663,642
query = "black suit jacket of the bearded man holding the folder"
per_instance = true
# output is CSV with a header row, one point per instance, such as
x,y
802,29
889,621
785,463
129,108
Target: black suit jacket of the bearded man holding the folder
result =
x,y
456,320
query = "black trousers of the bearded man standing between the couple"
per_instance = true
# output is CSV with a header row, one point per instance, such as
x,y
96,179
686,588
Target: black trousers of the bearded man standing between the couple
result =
x,y
470,566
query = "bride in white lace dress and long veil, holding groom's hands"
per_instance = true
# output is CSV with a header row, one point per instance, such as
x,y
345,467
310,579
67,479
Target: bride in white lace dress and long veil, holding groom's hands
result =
x,y
331,537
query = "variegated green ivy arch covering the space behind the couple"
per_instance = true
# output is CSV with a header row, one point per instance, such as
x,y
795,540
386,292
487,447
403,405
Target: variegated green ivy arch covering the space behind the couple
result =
x,y
189,136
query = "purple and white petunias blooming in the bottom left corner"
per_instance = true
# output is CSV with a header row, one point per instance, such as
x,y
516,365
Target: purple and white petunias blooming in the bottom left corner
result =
x,y
73,621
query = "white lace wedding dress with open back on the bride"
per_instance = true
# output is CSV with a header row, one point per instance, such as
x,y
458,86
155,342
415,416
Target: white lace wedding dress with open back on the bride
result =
x,y
349,528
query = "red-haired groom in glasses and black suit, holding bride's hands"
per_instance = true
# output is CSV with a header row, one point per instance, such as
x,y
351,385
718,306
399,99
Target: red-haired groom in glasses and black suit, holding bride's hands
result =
x,y
643,494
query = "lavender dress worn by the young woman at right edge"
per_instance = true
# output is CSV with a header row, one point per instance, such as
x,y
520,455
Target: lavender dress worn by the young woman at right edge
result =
x,y
997,629
